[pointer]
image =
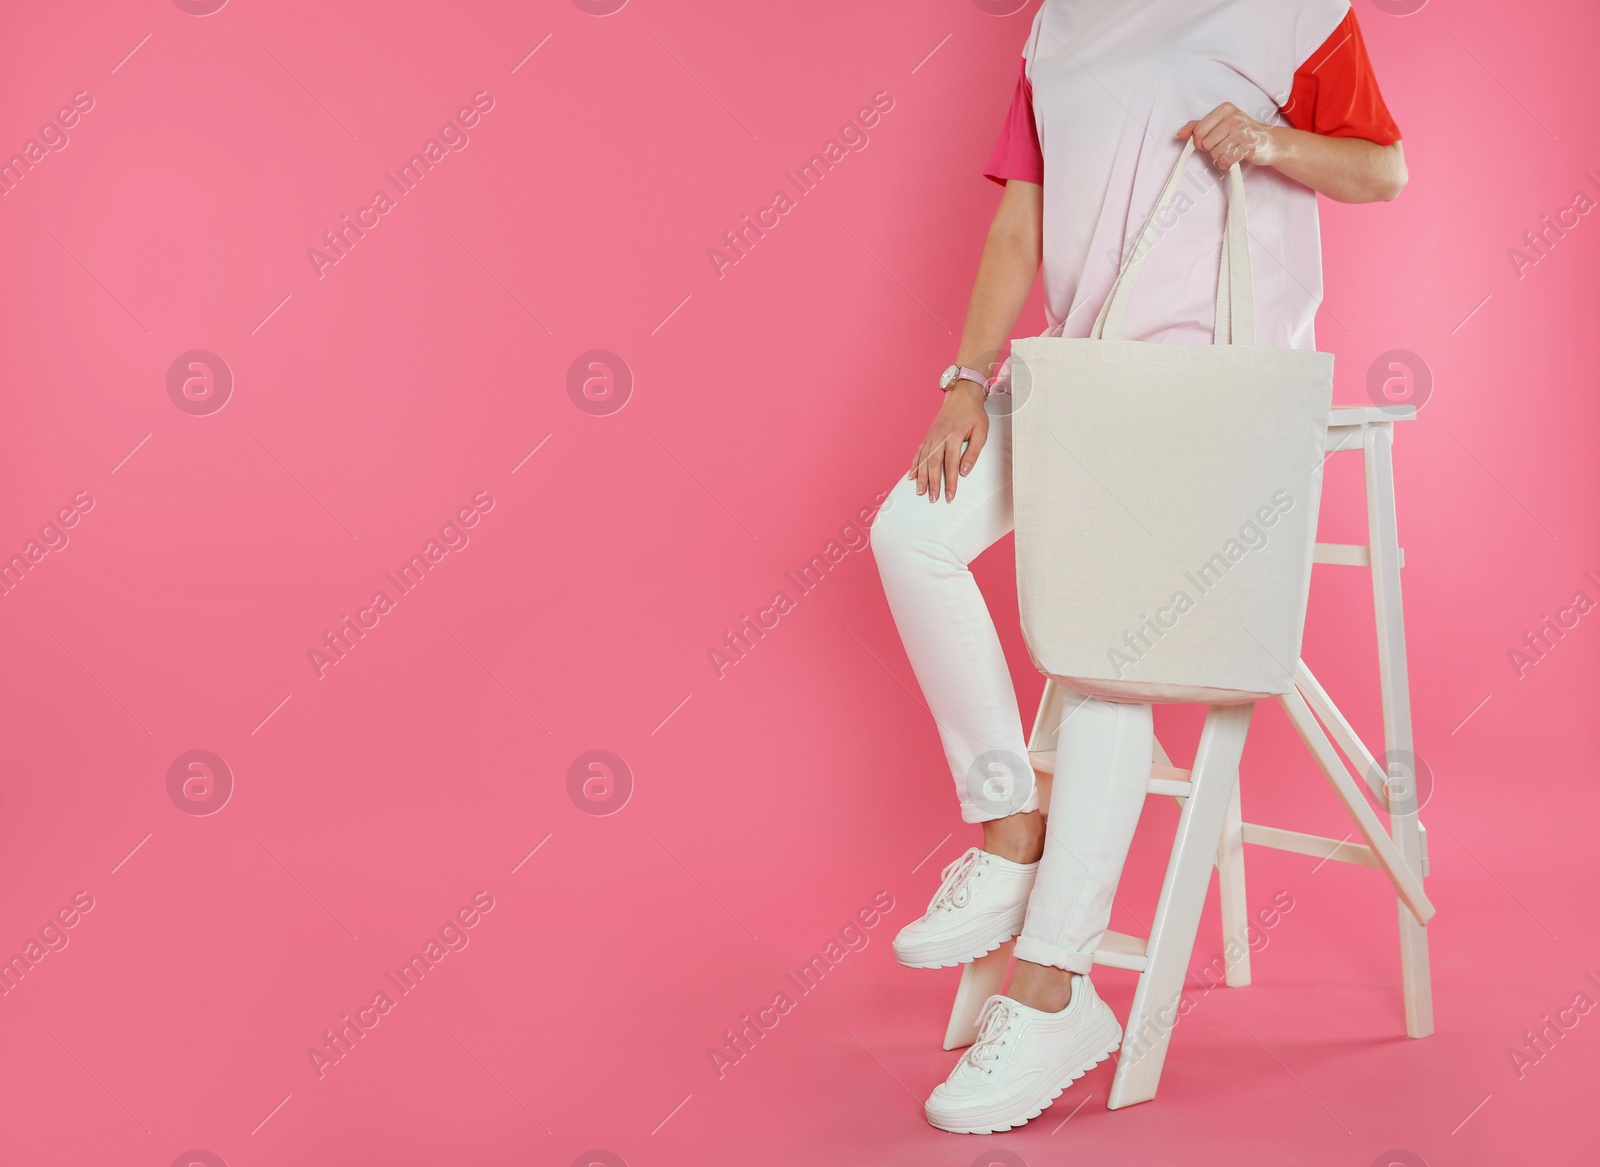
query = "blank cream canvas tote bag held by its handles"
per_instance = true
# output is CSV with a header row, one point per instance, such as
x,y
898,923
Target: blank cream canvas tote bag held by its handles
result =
x,y
1166,495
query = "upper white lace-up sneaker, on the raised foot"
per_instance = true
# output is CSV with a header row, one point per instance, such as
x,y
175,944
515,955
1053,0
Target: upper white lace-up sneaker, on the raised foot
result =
x,y
978,907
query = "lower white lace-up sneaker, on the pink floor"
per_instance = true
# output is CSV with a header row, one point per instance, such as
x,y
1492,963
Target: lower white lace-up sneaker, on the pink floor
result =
x,y
1023,1061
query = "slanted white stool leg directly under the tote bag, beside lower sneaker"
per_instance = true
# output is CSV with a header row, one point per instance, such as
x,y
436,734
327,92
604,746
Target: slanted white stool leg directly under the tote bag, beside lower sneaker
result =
x,y
1178,912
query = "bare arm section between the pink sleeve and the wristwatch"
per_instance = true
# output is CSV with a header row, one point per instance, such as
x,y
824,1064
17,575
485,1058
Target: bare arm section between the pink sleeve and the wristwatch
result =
x,y
1006,276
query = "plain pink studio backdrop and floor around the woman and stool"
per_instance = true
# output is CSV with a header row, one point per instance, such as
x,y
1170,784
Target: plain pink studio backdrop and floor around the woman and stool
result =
x,y
769,407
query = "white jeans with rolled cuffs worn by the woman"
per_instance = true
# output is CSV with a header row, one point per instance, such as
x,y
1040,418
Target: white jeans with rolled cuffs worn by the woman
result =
x,y
1103,763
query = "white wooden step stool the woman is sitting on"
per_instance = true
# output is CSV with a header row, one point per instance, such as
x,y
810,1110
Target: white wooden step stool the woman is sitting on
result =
x,y
1212,828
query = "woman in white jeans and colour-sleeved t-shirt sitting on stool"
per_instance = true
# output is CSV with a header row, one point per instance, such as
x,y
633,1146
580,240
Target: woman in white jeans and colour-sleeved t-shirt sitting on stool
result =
x,y
1105,100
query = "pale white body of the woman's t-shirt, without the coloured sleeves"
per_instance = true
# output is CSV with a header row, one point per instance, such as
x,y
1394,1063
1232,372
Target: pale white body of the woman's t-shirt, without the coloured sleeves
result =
x,y
1113,82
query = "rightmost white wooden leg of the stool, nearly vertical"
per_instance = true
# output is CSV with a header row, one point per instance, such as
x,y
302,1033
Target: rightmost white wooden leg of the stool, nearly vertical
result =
x,y
1385,547
